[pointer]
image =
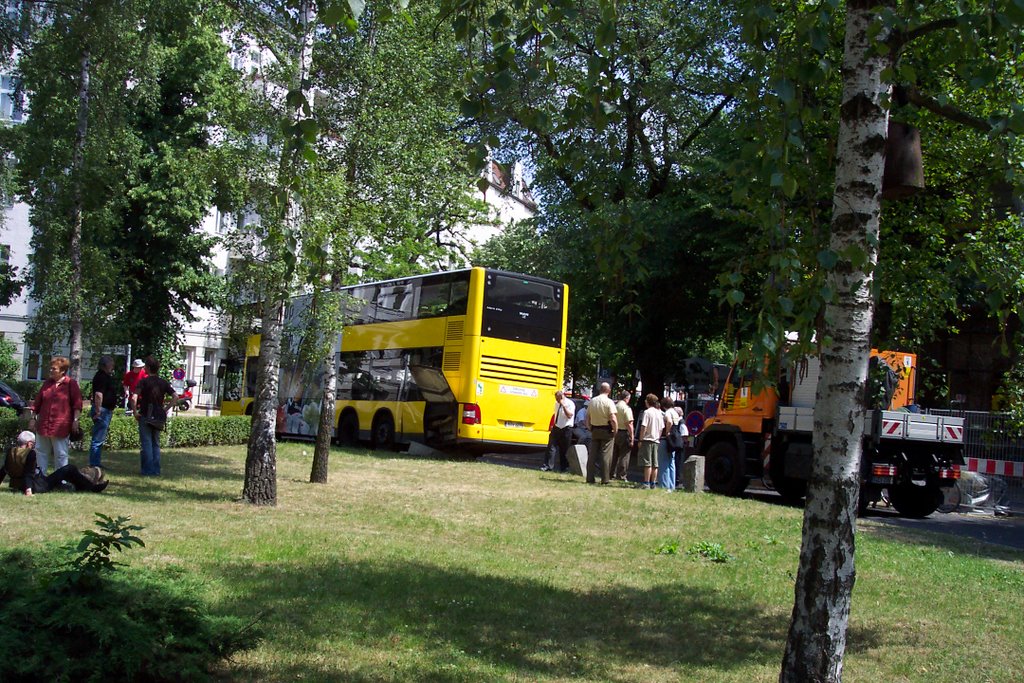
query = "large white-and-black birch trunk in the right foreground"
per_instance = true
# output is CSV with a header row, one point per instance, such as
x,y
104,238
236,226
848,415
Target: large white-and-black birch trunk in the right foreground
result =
x,y
825,582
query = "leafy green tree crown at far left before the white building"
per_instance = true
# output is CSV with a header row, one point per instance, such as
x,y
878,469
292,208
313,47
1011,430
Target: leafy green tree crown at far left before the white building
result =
x,y
160,90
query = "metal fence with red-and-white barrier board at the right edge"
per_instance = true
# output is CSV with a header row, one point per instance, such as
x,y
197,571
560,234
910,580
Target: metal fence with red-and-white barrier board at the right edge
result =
x,y
996,458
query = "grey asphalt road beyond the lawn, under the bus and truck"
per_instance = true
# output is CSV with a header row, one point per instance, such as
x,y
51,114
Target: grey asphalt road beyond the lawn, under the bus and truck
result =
x,y
1001,531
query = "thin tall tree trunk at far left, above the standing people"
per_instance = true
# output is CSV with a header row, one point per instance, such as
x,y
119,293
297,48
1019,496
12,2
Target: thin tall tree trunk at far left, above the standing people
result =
x,y
77,162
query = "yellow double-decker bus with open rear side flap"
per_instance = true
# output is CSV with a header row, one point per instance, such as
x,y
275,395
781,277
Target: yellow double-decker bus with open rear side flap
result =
x,y
465,359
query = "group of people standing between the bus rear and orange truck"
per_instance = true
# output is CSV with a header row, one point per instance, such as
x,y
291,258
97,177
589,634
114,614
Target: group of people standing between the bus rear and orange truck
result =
x,y
662,438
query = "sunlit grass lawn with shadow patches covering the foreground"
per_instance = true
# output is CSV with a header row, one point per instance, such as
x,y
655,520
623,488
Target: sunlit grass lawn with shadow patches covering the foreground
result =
x,y
407,569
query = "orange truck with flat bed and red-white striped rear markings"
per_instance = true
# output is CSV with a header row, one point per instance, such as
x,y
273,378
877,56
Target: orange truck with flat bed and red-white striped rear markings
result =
x,y
757,434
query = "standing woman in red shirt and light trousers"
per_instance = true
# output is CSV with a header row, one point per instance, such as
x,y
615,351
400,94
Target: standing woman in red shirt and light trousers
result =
x,y
57,409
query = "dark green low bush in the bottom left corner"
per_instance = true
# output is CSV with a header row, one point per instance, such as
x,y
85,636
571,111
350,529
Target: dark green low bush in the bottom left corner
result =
x,y
79,620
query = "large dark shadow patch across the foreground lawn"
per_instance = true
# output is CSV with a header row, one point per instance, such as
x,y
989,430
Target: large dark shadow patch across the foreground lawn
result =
x,y
502,626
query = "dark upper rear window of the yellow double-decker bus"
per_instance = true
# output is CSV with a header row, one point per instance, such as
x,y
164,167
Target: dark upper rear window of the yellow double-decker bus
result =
x,y
522,309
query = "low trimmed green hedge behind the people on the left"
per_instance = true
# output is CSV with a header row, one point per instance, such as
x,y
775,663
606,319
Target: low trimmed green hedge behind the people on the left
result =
x,y
182,432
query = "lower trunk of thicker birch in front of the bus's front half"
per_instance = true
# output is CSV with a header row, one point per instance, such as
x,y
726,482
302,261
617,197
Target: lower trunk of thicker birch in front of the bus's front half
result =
x,y
261,486
